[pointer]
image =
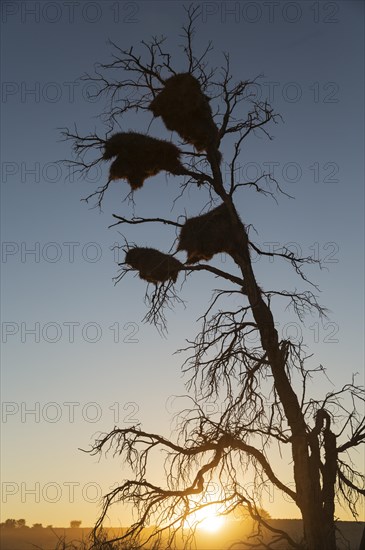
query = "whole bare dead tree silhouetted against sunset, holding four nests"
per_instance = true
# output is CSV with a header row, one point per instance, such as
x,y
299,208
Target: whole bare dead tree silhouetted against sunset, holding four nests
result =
x,y
265,386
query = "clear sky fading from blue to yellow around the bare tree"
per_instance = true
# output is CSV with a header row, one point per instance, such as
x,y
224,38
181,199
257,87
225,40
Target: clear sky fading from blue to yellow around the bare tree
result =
x,y
76,357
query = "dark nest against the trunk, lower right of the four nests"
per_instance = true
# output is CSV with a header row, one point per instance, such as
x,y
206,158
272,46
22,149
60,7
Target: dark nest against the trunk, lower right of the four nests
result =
x,y
206,235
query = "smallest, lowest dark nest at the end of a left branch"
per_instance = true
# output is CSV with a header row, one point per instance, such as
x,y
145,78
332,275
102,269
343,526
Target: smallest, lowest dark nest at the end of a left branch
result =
x,y
153,266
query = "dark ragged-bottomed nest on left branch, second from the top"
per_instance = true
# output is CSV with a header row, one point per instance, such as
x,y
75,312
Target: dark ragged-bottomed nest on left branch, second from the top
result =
x,y
139,156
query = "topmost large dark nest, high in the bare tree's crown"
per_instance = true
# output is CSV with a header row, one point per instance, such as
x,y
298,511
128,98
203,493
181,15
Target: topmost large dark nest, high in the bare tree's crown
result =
x,y
185,109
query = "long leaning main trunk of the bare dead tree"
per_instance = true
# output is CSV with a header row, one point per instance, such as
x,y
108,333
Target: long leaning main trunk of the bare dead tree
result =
x,y
316,527
